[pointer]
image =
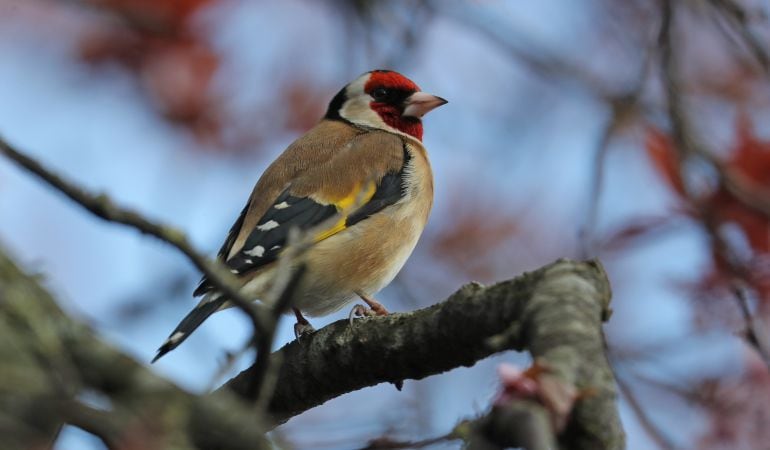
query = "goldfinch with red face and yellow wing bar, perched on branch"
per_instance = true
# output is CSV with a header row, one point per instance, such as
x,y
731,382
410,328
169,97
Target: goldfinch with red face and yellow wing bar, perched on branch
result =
x,y
363,176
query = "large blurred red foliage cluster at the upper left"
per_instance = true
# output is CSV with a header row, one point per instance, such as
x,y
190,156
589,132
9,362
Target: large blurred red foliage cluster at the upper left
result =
x,y
154,39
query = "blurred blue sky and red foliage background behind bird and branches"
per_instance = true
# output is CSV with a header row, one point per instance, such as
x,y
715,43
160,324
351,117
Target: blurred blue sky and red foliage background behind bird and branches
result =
x,y
558,141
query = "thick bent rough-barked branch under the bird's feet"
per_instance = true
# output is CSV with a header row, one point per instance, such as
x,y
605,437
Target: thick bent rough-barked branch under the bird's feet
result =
x,y
555,312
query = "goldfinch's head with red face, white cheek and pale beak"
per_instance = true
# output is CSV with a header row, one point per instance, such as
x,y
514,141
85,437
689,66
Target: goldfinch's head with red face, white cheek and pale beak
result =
x,y
386,100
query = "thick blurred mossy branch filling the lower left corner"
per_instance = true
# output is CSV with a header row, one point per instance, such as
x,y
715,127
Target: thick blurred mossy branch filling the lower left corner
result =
x,y
50,361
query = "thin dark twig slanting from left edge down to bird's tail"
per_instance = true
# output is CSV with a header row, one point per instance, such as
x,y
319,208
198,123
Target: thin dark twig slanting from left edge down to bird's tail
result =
x,y
101,206
